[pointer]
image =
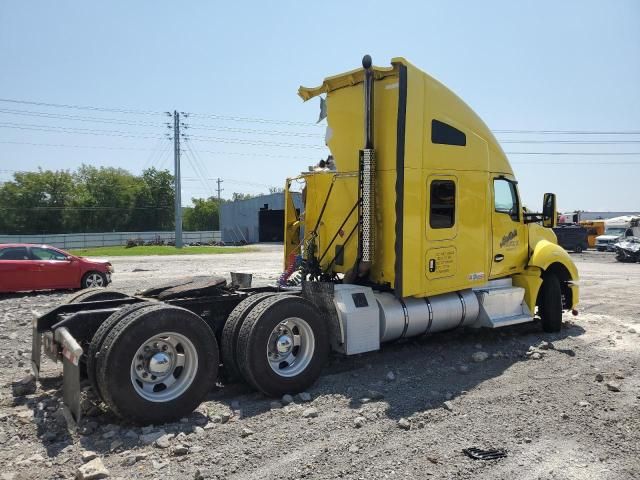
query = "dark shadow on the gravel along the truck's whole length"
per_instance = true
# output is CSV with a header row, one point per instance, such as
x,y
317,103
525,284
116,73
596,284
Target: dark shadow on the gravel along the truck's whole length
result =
x,y
415,375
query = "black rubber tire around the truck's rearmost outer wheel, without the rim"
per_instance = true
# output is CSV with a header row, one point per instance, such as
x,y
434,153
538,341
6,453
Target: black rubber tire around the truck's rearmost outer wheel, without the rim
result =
x,y
114,368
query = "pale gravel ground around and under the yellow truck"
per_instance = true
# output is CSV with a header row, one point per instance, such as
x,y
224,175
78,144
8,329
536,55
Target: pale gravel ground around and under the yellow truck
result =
x,y
563,406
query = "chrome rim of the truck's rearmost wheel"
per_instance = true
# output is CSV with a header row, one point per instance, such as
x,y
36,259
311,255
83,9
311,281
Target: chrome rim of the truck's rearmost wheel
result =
x,y
164,367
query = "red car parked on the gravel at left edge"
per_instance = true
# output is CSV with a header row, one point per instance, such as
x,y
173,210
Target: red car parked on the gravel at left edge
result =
x,y
40,267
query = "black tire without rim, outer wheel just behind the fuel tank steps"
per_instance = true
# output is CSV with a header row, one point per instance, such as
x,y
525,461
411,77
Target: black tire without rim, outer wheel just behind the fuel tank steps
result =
x,y
254,338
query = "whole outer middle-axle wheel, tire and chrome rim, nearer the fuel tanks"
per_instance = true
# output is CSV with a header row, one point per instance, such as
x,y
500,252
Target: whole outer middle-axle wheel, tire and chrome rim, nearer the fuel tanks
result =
x,y
283,345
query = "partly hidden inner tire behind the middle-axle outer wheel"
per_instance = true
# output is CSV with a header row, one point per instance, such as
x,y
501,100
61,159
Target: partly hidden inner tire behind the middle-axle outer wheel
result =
x,y
230,332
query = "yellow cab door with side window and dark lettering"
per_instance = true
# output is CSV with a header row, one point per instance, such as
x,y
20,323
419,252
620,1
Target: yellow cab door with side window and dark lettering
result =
x,y
510,243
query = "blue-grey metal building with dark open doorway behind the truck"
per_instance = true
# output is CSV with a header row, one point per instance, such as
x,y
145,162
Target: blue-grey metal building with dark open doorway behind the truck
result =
x,y
259,219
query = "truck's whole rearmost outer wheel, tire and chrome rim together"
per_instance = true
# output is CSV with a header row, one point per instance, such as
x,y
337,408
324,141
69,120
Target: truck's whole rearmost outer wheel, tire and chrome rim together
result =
x,y
159,363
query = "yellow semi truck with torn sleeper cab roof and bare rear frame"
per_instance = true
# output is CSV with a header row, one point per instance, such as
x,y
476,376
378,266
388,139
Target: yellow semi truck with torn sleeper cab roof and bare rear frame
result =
x,y
415,226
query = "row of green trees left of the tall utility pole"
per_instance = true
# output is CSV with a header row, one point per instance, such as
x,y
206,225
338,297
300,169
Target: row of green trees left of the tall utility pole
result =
x,y
91,199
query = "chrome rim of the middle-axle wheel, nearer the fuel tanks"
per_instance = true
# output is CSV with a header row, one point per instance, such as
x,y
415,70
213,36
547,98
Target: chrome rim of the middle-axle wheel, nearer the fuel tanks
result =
x,y
290,347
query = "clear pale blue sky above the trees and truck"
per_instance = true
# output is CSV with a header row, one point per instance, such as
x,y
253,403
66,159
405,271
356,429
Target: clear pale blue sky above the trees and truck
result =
x,y
539,65
